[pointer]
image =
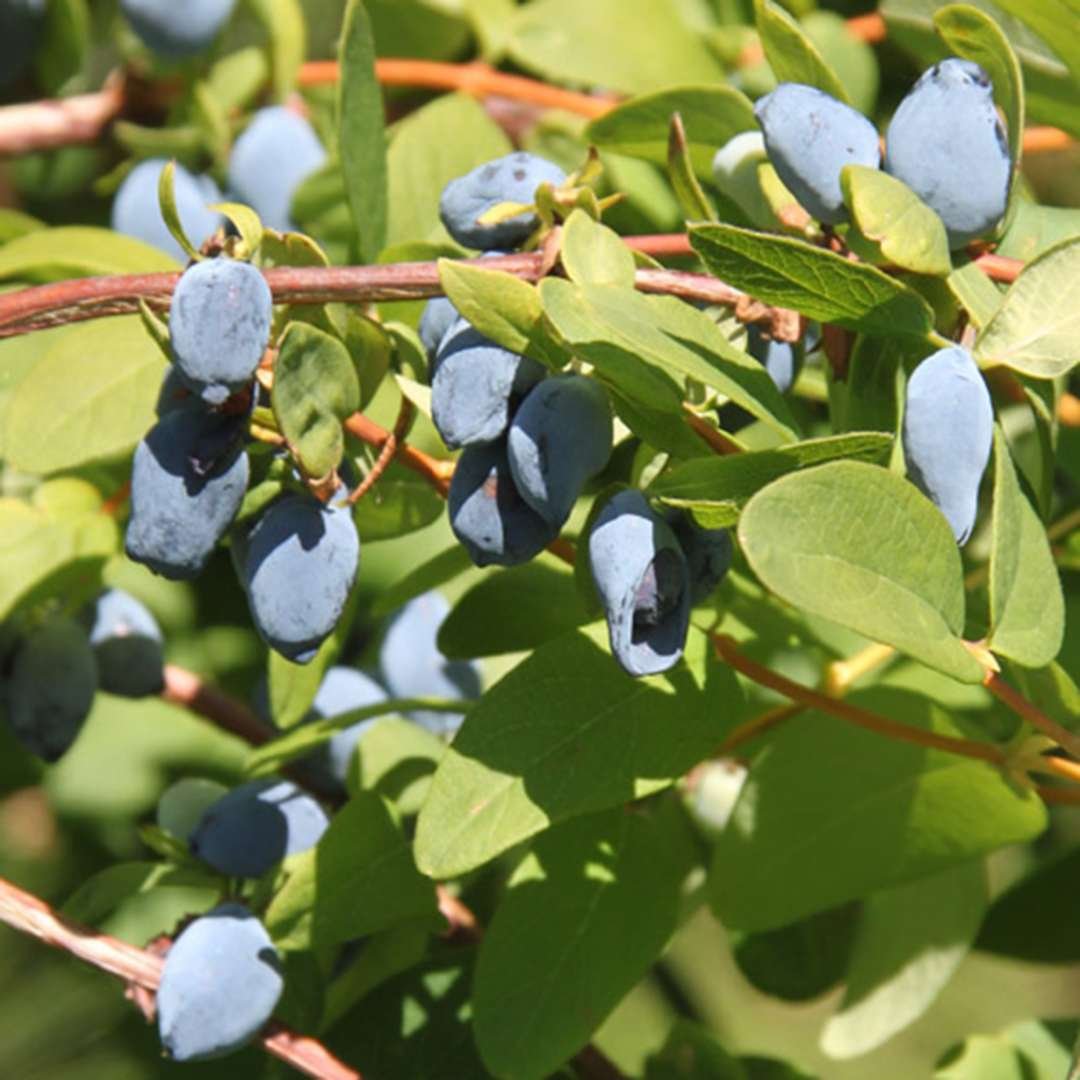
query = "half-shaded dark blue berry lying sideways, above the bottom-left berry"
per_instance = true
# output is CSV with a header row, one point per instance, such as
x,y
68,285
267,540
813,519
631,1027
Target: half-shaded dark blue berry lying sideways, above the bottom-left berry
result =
x,y
256,826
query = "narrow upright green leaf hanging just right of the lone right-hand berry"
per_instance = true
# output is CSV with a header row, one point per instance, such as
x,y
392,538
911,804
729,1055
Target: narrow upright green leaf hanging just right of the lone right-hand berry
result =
x,y
1028,609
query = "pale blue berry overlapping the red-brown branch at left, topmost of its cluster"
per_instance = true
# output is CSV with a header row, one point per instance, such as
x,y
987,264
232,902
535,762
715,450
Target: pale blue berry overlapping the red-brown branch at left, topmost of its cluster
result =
x,y
219,327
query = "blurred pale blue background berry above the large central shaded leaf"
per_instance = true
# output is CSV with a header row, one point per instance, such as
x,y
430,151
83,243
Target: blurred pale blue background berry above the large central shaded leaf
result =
x,y
414,667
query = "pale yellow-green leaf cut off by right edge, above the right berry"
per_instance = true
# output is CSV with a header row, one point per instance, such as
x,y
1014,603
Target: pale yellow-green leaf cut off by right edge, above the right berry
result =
x,y
1028,334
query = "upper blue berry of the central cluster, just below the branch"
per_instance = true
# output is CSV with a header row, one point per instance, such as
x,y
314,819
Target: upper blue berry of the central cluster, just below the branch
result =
x,y
477,387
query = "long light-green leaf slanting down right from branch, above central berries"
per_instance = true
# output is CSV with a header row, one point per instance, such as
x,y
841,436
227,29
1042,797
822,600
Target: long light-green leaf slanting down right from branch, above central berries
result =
x,y
640,342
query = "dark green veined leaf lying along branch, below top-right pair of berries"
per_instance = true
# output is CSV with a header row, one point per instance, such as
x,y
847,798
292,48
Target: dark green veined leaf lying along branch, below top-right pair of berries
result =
x,y
821,285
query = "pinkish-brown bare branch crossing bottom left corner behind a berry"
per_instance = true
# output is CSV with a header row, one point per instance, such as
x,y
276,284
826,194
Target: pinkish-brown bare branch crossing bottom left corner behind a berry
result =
x,y
30,915
